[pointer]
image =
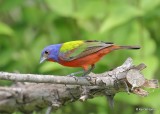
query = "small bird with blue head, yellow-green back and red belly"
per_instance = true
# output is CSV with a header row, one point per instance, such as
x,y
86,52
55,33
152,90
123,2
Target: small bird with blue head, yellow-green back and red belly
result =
x,y
80,53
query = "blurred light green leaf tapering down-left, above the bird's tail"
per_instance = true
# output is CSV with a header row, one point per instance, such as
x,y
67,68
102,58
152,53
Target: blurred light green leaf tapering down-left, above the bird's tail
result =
x,y
119,16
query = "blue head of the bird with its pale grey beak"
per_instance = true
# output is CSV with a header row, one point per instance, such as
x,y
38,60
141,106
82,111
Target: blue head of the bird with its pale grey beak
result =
x,y
50,53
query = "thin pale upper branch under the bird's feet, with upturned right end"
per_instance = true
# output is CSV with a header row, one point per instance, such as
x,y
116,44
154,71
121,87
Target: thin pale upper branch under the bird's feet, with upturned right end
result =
x,y
65,79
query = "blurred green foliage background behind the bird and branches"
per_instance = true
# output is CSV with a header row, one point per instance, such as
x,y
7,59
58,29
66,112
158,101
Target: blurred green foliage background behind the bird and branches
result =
x,y
27,26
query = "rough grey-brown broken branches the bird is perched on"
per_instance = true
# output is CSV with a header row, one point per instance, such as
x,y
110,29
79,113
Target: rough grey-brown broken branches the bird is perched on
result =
x,y
34,92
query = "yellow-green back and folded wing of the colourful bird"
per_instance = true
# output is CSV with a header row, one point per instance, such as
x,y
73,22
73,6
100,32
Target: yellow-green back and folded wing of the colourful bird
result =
x,y
77,49
